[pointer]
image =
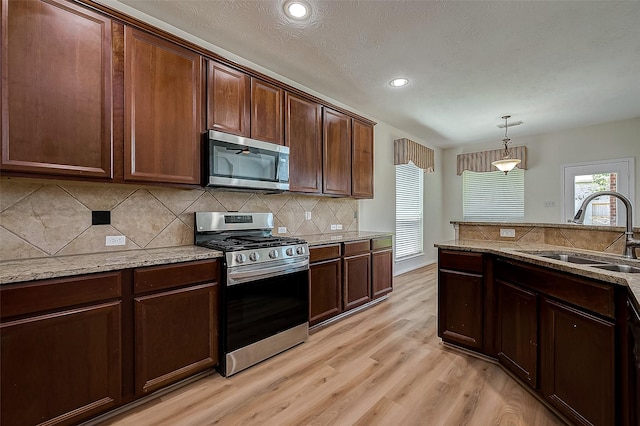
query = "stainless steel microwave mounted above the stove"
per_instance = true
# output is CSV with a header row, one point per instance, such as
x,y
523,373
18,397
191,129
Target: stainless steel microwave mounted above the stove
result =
x,y
242,163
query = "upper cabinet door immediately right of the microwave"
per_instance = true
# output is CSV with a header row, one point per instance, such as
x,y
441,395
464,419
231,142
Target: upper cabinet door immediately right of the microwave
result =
x,y
303,136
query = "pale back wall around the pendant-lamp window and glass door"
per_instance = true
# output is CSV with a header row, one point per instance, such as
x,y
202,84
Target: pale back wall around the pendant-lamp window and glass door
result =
x,y
546,154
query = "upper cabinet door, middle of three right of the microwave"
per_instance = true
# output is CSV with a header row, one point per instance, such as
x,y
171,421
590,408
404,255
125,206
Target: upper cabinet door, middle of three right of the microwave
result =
x,y
336,154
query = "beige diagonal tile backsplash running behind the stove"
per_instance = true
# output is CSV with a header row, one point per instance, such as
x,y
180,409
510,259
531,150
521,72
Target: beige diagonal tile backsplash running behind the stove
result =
x,y
42,218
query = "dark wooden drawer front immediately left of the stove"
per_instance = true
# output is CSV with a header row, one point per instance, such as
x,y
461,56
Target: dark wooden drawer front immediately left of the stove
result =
x,y
169,276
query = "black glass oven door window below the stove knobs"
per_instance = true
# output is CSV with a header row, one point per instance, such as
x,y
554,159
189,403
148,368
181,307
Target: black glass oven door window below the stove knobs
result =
x,y
260,309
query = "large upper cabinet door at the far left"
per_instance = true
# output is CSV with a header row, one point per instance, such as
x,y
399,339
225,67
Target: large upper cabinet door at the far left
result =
x,y
57,91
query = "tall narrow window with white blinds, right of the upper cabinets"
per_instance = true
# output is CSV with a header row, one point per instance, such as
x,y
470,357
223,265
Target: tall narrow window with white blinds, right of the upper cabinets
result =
x,y
408,210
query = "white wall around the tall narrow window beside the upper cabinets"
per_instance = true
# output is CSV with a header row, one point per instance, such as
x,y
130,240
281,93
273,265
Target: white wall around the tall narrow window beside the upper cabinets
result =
x,y
378,214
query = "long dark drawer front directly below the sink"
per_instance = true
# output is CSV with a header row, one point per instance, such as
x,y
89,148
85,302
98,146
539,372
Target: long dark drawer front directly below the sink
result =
x,y
591,295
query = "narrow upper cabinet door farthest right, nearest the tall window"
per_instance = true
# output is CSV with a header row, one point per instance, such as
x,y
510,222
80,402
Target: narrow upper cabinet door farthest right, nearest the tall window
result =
x,y
362,160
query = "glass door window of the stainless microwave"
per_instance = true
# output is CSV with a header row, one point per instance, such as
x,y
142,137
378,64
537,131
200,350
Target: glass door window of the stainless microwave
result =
x,y
239,162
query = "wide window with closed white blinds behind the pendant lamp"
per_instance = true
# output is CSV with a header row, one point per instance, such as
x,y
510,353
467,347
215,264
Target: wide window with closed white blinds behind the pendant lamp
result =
x,y
493,196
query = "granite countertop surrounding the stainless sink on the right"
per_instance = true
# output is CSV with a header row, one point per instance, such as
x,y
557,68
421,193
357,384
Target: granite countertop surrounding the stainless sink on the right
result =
x,y
526,252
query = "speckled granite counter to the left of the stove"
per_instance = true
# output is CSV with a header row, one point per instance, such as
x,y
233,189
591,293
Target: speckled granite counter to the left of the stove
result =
x,y
13,271
